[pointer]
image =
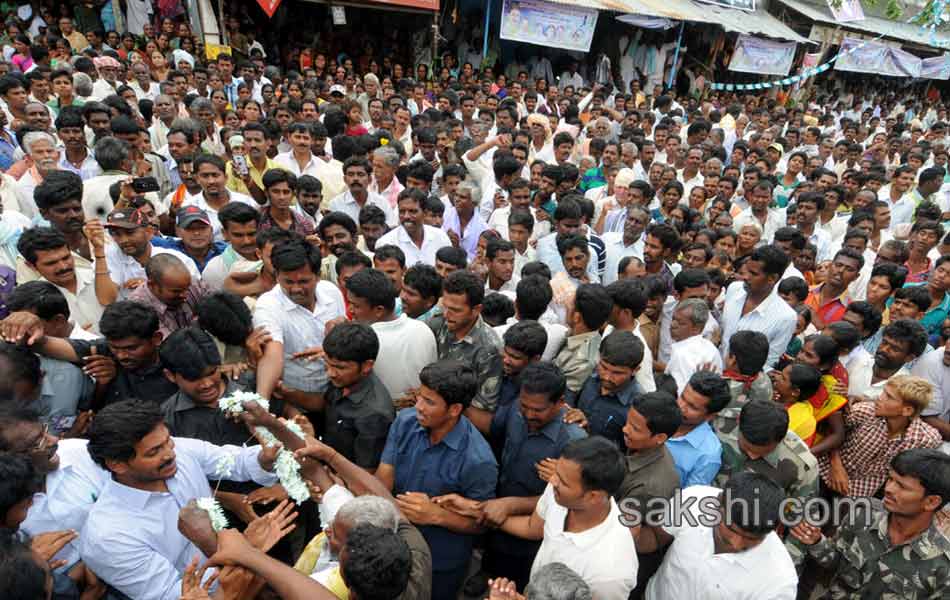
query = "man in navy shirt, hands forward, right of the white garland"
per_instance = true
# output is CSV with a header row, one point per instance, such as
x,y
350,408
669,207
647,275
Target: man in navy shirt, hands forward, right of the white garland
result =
x,y
433,450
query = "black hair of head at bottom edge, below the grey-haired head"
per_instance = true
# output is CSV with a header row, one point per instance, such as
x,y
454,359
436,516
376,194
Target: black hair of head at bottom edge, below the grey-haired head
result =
x,y
378,563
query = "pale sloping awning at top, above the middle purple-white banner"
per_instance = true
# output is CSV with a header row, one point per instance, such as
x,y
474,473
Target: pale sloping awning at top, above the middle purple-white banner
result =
x,y
757,22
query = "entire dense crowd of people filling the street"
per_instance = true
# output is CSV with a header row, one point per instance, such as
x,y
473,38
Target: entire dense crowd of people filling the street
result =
x,y
511,335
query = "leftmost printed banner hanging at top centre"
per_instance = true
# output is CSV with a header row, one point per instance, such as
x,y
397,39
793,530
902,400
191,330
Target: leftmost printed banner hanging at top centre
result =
x,y
548,24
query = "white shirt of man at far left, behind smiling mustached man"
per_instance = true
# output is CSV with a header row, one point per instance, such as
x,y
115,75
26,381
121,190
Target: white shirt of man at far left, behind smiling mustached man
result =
x,y
69,493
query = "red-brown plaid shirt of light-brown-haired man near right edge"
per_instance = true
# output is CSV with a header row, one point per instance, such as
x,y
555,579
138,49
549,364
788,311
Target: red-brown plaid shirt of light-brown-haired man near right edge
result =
x,y
868,449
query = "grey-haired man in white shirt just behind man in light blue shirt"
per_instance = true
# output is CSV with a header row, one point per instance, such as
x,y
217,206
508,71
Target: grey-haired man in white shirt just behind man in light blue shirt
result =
x,y
690,351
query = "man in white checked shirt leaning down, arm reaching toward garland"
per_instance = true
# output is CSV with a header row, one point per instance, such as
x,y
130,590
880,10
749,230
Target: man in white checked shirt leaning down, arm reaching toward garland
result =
x,y
295,313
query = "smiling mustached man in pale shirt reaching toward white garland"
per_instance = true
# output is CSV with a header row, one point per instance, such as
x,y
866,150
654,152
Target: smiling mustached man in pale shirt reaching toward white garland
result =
x,y
131,539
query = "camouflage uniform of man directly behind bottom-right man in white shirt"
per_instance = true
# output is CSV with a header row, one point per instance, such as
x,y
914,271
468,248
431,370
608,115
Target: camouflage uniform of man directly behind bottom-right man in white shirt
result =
x,y
791,465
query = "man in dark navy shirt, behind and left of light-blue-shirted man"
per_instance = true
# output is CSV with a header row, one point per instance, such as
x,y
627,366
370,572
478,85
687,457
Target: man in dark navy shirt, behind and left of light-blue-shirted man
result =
x,y
612,389
